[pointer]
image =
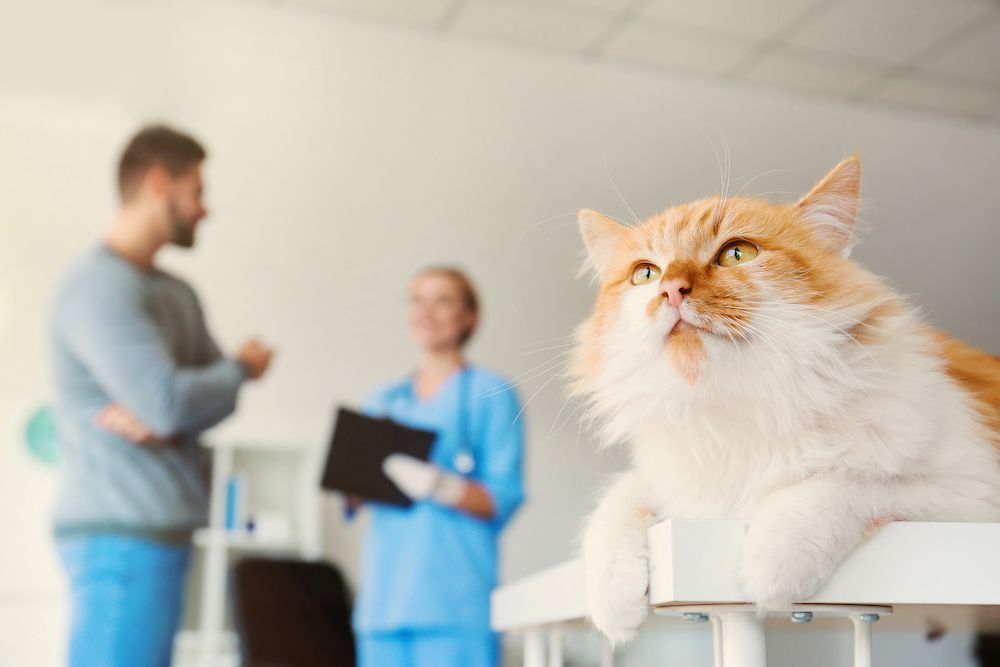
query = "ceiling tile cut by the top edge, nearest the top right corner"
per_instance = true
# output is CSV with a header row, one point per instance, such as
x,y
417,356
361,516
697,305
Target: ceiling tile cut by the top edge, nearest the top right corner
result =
x,y
890,31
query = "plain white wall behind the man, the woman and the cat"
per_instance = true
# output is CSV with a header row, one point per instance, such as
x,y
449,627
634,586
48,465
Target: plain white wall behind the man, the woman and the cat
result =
x,y
345,155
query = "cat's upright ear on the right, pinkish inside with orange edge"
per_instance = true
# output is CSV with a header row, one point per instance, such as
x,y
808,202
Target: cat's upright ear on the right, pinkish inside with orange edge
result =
x,y
831,207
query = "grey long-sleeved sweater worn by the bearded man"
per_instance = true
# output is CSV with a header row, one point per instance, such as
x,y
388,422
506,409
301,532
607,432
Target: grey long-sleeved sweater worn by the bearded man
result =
x,y
137,338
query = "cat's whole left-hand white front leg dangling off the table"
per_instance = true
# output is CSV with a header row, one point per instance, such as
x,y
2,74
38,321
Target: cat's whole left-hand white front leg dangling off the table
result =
x,y
616,559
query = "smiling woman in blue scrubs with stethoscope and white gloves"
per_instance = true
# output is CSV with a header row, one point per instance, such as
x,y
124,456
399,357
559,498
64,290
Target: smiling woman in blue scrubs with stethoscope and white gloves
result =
x,y
427,571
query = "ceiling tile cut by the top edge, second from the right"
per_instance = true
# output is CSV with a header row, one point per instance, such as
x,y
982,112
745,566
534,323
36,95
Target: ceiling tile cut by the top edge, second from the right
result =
x,y
757,19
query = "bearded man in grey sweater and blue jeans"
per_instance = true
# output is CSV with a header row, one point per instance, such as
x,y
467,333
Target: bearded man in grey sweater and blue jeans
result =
x,y
138,378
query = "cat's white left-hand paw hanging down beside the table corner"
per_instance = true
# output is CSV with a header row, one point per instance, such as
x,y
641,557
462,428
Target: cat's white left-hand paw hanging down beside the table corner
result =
x,y
617,580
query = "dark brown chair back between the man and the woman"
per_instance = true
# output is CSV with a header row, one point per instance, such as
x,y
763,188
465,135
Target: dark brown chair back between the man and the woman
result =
x,y
292,613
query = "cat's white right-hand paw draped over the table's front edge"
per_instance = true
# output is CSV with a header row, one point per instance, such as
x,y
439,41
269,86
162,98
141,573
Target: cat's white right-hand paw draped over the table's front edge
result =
x,y
782,567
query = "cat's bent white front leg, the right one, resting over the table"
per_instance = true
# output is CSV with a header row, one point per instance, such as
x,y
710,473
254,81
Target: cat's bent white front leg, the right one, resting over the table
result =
x,y
799,535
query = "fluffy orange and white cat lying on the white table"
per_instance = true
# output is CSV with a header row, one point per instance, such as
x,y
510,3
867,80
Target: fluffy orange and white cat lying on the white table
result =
x,y
758,373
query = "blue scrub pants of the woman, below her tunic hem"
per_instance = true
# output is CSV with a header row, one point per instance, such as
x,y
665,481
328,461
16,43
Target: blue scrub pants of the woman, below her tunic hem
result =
x,y
428,648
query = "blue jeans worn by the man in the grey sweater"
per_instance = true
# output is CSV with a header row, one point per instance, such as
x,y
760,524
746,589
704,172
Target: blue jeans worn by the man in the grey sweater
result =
x,y
127,598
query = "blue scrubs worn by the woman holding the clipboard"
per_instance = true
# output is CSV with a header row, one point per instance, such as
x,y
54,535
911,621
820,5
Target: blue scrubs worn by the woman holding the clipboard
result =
x,y
427,571
